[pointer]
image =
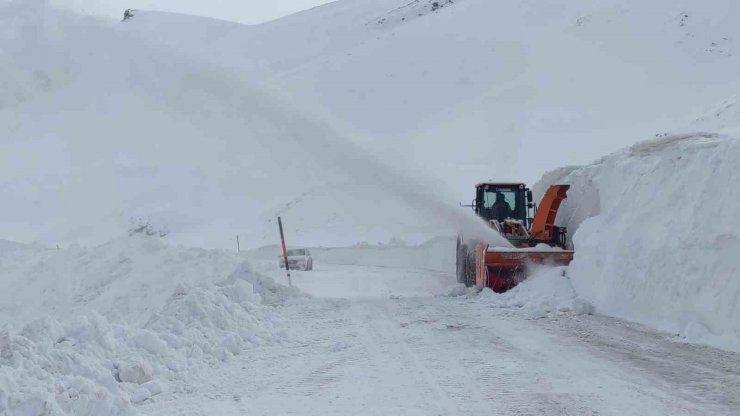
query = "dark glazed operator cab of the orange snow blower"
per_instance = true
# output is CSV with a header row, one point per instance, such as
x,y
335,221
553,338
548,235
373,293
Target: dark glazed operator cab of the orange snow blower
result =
x,y
506,207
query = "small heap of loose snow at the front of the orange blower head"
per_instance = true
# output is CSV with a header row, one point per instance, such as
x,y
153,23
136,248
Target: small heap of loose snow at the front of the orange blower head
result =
x,y
547,290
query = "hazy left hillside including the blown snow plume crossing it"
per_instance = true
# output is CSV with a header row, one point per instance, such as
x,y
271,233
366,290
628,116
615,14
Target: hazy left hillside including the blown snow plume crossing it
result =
x,y
129,132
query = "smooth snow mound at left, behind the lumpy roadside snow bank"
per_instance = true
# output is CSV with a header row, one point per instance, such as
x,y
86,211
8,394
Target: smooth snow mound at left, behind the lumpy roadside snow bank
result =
x,y
126,279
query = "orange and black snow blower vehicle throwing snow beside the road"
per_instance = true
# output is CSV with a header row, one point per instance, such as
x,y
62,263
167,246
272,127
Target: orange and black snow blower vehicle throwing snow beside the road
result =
x,y
506,207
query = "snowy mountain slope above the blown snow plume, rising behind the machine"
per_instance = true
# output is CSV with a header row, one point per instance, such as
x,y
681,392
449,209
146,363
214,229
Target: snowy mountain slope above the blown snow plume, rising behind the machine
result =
x,y
477,84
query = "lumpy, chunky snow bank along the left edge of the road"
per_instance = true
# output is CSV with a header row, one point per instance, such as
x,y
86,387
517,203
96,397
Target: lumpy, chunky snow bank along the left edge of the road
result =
x,y
93,367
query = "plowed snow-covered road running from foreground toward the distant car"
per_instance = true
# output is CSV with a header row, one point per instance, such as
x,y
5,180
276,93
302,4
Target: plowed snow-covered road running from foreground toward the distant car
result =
x,y
431,355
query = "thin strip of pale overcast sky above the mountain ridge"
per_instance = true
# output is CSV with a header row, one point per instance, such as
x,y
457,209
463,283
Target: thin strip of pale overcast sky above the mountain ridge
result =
x,y
243,11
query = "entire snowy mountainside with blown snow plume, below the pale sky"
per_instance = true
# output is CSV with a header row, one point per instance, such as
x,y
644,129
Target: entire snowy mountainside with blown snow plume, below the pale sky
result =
x,y
206,129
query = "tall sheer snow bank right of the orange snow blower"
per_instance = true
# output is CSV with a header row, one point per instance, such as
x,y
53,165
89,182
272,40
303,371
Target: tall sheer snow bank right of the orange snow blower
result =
x,y
657,234
